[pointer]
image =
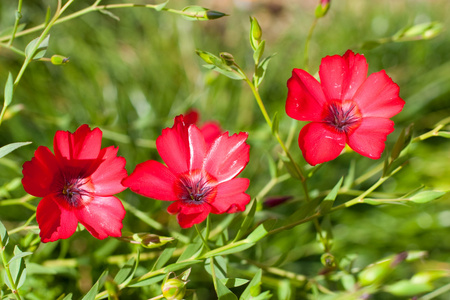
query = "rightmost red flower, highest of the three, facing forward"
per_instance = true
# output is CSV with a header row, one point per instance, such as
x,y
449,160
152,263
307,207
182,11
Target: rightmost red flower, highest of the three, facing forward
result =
x,y
345,108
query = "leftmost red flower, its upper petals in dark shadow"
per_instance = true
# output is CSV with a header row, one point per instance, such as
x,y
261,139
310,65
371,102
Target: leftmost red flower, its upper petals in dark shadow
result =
x,y
77,184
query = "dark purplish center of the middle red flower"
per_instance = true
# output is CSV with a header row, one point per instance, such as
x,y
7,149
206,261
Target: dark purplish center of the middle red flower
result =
x,y
196,187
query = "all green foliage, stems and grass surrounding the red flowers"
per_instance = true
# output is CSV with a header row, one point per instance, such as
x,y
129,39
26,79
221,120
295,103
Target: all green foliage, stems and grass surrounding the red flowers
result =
x,y
133,69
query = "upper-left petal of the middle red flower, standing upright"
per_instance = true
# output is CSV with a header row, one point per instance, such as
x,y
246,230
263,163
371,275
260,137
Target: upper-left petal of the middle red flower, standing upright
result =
x,y
181,147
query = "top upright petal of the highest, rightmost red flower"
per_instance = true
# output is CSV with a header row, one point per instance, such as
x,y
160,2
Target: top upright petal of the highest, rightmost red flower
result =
x,y
341,76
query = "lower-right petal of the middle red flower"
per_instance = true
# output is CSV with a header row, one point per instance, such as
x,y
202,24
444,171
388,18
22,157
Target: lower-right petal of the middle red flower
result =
x,y
230,196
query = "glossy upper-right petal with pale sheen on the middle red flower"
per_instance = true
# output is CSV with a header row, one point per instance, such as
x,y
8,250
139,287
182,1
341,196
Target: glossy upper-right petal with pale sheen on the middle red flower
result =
x,y
227,156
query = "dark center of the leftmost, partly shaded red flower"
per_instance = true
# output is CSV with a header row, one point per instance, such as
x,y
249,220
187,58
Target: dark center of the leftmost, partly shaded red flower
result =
x,y
77,191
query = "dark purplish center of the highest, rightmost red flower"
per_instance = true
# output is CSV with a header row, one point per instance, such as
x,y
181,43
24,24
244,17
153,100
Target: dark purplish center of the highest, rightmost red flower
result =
x,y
343,116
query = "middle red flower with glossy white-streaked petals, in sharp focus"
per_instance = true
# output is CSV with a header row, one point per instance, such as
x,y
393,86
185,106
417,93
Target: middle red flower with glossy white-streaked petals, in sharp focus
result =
x,y
200,179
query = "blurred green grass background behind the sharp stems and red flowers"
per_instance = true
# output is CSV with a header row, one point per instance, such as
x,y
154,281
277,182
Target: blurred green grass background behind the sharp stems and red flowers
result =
x,y
132,77
